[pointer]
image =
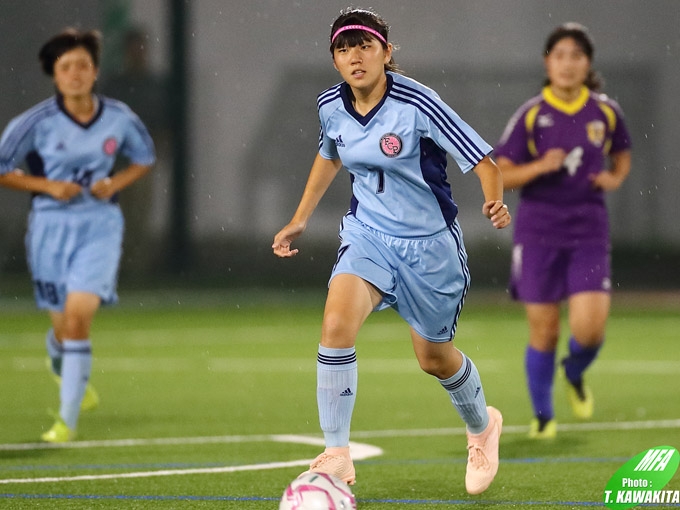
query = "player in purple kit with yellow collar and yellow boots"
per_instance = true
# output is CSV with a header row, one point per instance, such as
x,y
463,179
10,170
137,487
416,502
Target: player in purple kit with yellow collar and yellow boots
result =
x,y
564,148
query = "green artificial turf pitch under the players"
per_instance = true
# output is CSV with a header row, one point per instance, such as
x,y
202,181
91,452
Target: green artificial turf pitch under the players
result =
x,y
195,386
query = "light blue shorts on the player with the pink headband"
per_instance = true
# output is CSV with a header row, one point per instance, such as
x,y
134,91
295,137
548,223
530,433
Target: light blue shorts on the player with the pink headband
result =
x,y
425,279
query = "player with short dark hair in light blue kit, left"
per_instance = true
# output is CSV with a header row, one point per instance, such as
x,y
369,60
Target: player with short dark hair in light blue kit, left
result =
x,y
69,143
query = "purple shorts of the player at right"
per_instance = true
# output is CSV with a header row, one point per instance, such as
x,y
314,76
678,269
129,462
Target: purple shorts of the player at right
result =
x,y
547,274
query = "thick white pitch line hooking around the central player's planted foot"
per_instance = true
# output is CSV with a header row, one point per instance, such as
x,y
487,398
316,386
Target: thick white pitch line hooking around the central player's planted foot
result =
x,y
359,451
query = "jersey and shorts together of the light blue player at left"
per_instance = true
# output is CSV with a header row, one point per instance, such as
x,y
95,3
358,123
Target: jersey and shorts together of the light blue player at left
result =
x,y
75,245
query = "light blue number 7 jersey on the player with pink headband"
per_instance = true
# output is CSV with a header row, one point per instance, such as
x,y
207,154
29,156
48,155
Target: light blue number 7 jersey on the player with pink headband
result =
x,y
396,155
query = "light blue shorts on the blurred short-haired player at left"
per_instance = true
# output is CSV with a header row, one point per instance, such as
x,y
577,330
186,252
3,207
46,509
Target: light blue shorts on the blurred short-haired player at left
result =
x,y
74,252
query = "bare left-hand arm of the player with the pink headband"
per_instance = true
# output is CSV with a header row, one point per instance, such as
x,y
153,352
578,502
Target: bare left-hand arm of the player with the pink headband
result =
x,y
320,178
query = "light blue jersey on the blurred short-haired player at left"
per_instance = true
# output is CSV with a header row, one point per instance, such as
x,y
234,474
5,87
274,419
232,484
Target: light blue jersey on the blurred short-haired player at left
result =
x,y
56,146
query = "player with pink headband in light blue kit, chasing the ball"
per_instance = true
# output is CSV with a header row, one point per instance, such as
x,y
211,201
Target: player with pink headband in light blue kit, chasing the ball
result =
x,y
401,245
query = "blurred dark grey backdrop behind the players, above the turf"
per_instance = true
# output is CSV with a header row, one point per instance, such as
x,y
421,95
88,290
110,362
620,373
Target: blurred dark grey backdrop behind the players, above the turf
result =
x,y
228,90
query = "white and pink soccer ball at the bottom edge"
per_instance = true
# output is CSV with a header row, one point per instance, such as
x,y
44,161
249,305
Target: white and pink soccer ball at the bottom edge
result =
x,y
317,491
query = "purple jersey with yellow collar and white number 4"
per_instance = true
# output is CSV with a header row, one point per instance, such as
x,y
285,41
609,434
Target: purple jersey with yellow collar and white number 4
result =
x,y
562,208
